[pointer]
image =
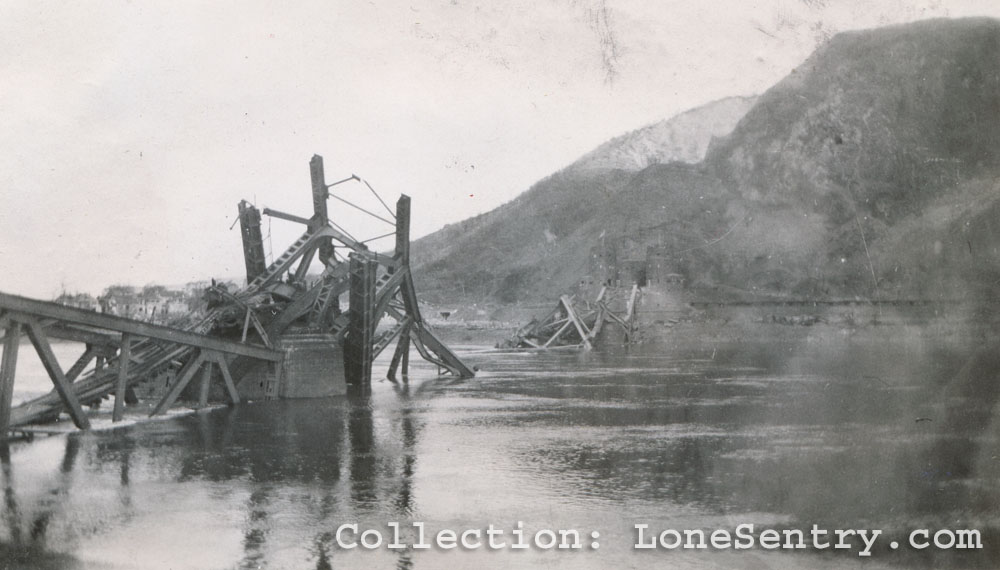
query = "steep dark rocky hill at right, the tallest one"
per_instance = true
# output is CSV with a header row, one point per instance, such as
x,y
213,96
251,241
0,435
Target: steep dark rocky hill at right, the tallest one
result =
x,y
874,146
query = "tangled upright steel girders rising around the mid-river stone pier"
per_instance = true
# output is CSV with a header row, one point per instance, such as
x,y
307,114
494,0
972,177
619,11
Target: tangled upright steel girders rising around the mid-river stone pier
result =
x,y
379,288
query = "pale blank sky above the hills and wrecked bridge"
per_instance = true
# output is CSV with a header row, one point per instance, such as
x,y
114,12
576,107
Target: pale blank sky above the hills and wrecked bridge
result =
x,y
130,130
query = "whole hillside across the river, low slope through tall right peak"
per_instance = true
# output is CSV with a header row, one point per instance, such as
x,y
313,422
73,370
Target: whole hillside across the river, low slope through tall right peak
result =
x,y
871,171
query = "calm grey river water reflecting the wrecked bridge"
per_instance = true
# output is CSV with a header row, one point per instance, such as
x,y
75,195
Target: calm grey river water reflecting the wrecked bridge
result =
x,y
830,429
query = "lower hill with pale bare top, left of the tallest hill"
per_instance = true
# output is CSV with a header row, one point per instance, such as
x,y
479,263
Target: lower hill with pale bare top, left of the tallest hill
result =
x,y
540,242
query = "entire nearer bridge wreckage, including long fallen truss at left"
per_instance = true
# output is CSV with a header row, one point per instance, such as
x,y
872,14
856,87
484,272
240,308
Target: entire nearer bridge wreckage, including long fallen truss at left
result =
x,y
284,335
